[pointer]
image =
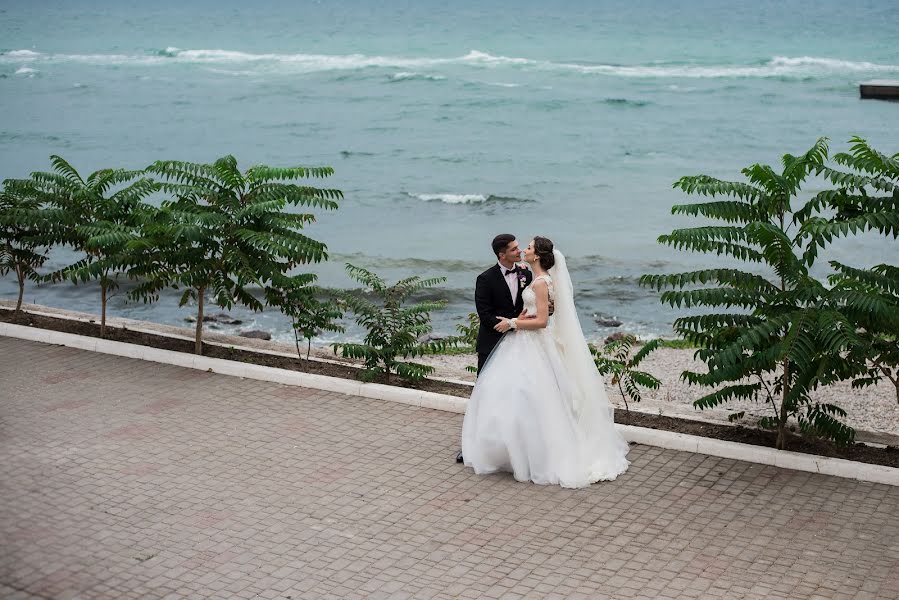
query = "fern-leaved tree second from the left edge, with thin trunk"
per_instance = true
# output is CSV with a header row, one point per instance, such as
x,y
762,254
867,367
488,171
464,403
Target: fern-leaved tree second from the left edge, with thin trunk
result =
x,y
94,220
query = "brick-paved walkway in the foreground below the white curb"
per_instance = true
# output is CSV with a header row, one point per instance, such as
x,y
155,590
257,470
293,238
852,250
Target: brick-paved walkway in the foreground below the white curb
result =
x,y
125,479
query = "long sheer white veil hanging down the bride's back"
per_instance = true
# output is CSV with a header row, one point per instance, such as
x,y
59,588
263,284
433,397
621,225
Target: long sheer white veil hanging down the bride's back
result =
x,y
589,388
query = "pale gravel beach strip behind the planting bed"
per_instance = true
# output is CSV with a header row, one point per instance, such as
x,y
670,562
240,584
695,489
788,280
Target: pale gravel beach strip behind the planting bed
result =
x,y
873,410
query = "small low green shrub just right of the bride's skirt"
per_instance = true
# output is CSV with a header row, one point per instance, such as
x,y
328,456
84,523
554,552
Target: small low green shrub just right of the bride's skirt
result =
x,y
615,359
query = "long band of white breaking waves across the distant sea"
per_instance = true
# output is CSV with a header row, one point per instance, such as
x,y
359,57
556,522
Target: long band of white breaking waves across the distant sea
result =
x,y
411,68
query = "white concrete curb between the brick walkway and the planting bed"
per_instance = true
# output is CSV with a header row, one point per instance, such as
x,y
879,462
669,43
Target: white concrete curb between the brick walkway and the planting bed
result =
x,y
652,437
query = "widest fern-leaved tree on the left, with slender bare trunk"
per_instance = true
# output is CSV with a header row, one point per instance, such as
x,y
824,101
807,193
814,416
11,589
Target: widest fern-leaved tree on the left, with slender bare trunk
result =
x,y
225,231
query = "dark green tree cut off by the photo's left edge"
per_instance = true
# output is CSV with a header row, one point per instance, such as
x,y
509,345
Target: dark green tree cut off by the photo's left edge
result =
x,y
23,241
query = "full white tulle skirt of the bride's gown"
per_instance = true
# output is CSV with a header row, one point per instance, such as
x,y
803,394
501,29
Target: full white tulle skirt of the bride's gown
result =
x,y
519,419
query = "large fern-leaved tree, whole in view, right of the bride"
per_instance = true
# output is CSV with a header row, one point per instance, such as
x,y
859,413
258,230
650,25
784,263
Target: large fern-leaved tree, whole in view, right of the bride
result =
x,y
785,338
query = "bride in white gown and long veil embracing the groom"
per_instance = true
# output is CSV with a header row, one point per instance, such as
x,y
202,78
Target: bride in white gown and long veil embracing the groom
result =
x,y
539,408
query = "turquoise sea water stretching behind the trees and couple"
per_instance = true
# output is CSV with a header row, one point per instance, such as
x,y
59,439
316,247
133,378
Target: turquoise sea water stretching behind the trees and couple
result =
x,y
450,122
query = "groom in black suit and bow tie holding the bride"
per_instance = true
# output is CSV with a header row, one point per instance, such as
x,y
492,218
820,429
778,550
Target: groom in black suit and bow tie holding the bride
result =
x,y
497,293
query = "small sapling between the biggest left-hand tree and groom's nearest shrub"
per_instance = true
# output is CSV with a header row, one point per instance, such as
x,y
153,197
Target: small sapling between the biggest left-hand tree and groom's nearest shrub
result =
x,y
300,300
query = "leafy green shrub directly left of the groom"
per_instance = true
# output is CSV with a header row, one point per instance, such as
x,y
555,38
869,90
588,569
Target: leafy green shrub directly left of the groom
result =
x,y
392,329
